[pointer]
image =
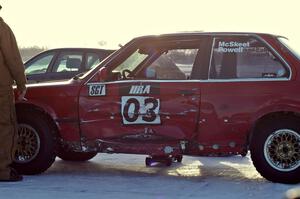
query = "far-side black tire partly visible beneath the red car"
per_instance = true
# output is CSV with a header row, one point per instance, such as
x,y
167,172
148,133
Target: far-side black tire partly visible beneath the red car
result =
x,y
76,156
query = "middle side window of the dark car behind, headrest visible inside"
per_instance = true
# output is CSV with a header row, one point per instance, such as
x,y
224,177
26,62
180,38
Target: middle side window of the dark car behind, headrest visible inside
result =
x,y
68,62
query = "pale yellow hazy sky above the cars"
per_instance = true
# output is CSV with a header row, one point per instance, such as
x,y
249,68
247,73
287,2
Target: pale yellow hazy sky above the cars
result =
x,y
108,23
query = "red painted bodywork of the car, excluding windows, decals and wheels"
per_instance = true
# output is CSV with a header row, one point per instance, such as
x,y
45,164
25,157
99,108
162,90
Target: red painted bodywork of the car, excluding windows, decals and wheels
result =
x,y
198,112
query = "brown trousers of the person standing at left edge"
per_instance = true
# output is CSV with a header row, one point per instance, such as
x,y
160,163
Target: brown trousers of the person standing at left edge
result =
x,y
7,131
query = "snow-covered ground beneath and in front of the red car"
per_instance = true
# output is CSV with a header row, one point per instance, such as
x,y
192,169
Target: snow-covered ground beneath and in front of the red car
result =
x,y
126,176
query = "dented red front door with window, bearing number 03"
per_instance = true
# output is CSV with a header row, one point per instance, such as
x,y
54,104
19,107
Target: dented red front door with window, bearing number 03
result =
x,y
151,92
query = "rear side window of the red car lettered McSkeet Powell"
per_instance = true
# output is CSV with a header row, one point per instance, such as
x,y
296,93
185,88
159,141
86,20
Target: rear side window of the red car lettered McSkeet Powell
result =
x,y
242,58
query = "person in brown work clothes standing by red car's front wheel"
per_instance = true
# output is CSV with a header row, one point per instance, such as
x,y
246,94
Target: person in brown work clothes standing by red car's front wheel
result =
x,y
11,69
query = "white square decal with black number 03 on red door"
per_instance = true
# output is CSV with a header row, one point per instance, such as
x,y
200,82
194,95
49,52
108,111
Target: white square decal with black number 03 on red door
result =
x,y
140,110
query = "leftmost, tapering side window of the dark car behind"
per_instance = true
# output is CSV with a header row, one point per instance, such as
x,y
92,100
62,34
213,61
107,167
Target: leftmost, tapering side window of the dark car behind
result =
x,y
39,65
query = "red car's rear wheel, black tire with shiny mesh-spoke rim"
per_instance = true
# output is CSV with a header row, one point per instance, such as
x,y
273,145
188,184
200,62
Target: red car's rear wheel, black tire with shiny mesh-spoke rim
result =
x,y
275,150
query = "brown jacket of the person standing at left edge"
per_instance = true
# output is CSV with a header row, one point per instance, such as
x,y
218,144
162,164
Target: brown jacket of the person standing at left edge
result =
x,y
11,65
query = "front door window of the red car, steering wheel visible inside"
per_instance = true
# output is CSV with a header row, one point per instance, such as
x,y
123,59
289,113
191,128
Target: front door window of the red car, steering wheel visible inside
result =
x,y
159,60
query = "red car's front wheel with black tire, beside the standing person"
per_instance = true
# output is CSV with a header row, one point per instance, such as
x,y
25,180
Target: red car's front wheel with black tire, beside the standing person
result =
x,y
36,138
